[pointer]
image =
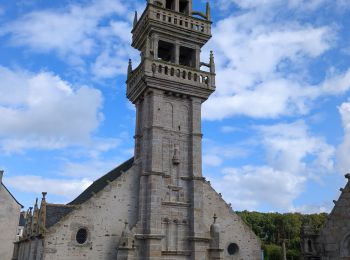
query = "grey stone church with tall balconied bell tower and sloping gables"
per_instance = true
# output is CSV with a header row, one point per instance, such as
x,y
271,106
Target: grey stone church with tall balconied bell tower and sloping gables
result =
x,y
156,205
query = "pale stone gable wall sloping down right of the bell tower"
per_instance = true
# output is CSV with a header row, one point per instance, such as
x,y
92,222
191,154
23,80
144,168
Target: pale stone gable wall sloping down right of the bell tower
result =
x,y
233,229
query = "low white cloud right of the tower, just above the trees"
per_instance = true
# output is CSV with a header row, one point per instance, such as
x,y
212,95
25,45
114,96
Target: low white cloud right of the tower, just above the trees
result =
x,y
252,187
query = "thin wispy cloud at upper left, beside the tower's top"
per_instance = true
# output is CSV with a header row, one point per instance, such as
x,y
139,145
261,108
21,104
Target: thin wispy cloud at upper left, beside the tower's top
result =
x,y
85,36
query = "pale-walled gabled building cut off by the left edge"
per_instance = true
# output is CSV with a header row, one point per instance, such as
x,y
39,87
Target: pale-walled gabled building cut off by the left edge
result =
x,y
10,210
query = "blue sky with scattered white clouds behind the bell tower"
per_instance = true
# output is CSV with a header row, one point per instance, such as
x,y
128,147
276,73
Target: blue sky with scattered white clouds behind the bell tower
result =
x,y
276,130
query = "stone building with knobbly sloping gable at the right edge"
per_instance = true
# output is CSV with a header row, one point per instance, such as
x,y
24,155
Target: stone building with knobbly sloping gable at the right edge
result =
x,y
332,242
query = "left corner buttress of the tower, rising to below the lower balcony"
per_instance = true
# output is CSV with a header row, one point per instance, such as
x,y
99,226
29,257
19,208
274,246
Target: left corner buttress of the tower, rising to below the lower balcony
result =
x,y
152,178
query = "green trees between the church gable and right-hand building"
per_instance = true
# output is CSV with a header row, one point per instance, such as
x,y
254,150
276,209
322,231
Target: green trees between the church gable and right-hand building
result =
x,y
274,228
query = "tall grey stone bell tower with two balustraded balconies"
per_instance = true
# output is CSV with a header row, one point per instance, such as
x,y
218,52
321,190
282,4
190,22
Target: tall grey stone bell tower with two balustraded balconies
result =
x,y
168,89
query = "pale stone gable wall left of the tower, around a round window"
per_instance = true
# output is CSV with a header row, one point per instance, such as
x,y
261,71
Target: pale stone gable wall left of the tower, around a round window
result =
x,y
103,216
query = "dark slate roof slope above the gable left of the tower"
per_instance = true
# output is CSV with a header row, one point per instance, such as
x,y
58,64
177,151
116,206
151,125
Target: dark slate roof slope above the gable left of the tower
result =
x,y
102,182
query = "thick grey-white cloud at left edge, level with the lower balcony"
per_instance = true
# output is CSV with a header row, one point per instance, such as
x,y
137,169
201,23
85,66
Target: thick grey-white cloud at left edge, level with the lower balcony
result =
x,y
43,111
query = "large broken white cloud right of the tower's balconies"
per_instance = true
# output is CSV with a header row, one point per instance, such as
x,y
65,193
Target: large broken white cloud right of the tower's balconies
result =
x,y
263,62
